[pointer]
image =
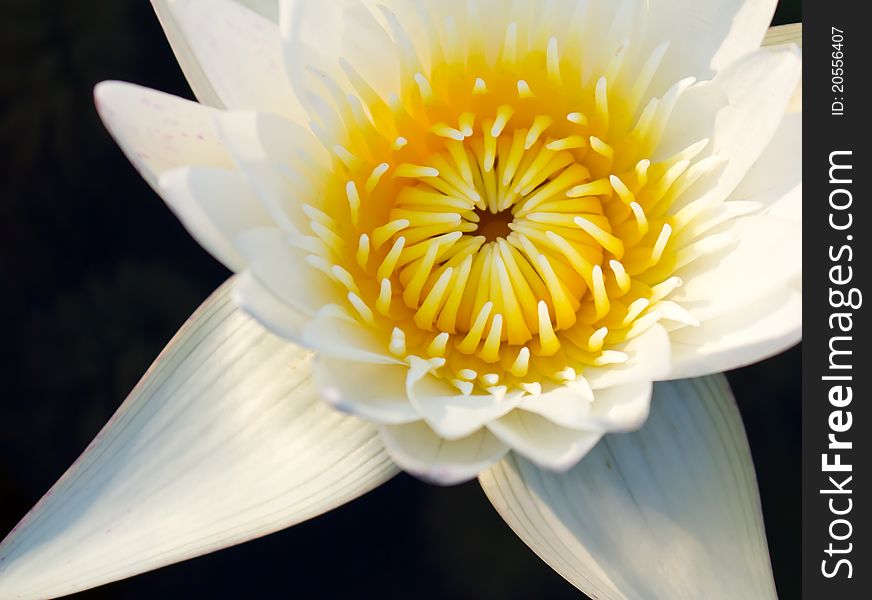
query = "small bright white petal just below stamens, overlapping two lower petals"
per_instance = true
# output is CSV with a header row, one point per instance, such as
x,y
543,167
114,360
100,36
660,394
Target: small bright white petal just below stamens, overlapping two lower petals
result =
x,y
448,412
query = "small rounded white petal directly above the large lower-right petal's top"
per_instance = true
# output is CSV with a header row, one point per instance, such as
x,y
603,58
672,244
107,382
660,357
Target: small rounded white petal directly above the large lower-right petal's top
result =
x,y
545,443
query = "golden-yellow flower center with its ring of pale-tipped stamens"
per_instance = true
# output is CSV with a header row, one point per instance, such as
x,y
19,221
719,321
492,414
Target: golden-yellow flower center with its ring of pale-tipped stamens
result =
x,y
508,222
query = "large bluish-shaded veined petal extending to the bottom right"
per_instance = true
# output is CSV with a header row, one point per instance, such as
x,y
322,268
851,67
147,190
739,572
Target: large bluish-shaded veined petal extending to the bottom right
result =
x,y
670,511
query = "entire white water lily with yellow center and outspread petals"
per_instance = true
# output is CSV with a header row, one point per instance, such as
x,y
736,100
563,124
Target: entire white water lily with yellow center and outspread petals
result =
x,y
497,224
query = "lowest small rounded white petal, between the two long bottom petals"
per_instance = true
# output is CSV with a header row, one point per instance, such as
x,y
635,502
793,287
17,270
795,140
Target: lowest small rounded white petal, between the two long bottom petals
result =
x,y
416,449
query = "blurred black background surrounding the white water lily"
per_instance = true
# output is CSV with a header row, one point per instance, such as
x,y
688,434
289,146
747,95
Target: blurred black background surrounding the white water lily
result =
x,y
97,275
